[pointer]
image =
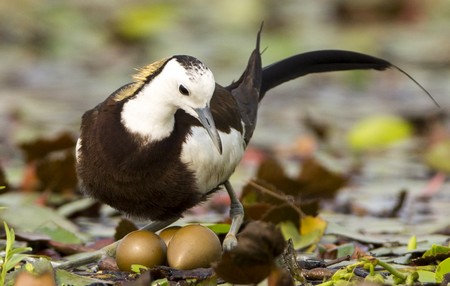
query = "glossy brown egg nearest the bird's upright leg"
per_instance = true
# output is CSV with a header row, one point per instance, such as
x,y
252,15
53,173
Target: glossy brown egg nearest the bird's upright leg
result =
x,y
193,246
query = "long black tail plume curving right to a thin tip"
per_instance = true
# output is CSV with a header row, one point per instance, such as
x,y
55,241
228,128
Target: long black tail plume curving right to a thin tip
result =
x,y
323,61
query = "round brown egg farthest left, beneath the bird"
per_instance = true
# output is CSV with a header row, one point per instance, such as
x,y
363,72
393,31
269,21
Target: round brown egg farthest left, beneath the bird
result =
x,y
140,247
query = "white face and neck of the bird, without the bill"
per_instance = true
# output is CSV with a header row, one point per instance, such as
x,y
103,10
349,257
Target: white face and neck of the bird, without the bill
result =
x,y
184,83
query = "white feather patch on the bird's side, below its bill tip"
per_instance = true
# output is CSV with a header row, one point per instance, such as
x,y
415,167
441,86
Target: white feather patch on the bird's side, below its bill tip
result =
x,y
202,157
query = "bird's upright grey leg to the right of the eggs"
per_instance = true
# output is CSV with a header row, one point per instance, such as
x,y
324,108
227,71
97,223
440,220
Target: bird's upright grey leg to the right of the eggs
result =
x,y
237,216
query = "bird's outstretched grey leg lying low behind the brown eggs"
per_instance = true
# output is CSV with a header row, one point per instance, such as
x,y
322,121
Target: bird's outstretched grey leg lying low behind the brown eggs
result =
x,y
109,250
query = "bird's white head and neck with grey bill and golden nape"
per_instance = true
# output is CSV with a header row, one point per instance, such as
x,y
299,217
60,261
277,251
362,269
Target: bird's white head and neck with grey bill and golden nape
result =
x,y
179,82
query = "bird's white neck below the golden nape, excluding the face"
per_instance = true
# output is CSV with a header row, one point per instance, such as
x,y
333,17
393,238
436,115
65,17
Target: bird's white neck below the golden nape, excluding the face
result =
x,y
148,118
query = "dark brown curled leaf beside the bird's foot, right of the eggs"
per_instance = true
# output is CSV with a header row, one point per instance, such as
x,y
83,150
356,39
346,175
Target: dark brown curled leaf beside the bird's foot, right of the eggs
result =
x,y
252,260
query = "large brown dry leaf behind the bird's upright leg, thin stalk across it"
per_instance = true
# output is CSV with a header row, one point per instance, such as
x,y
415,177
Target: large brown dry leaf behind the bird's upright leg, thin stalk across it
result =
x,y
275,197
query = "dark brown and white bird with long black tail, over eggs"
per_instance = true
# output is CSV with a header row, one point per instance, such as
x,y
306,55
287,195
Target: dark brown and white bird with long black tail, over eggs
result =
x,y
173,136
